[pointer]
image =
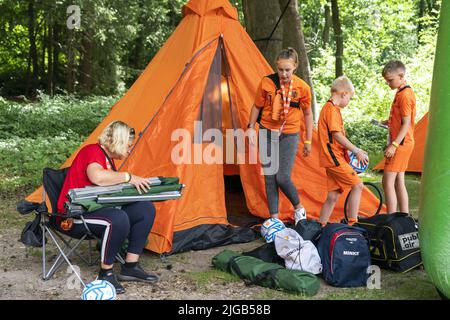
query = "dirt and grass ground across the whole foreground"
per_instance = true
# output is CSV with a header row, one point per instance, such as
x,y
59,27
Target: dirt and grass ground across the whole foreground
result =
x,y
183,276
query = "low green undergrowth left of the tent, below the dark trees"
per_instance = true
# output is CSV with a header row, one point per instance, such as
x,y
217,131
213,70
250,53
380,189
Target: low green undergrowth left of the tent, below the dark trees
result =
x,y
44,134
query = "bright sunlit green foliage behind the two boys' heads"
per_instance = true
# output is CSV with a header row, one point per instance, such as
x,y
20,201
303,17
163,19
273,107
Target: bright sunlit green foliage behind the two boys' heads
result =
x,y
374,33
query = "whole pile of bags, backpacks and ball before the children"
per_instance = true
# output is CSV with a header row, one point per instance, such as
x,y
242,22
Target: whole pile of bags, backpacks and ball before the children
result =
x,y
342,254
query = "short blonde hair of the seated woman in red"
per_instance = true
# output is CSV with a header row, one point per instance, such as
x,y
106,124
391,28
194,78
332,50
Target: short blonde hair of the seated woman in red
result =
x,y
116,137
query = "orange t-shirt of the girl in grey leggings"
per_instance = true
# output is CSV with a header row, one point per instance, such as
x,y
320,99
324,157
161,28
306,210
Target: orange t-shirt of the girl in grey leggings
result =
x,y
301,96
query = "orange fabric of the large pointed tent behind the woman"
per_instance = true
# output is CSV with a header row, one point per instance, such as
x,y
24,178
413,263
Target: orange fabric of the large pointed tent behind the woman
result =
x,y
167,96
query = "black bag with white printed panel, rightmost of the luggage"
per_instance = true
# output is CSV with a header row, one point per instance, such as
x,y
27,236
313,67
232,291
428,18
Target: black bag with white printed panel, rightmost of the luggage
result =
x,y
394,241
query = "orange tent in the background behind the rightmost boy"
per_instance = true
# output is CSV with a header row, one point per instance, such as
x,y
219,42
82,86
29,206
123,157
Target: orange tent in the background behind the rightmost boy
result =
x,y
415,163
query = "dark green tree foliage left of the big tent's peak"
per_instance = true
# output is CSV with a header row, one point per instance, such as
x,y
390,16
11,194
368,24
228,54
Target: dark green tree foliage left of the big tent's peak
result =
x,y
116,41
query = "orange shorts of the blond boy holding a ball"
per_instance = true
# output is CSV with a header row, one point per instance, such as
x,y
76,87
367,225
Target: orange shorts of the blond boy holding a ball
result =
x,y
341,178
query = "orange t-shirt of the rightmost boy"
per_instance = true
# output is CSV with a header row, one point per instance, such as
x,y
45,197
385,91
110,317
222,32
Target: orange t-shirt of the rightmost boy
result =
x,y
404,105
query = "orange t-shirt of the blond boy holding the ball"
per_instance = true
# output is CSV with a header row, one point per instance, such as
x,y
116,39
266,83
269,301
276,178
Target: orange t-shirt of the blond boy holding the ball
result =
x,y
331,152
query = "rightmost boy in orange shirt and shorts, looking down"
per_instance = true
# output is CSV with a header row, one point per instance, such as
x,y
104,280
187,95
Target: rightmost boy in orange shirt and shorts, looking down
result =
x,y
401,137
